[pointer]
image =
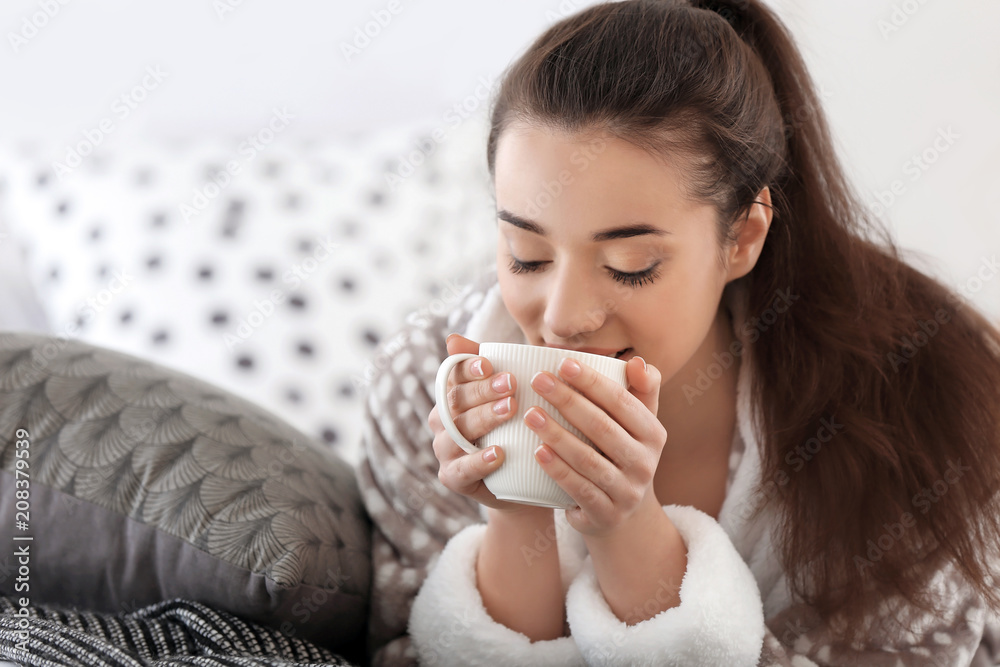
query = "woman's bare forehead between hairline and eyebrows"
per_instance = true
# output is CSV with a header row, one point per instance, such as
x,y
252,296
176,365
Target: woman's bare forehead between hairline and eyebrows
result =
x,y
591,175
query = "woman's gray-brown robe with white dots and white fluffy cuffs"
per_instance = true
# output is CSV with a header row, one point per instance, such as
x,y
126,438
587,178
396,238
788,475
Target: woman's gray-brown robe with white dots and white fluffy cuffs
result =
x,y
721,616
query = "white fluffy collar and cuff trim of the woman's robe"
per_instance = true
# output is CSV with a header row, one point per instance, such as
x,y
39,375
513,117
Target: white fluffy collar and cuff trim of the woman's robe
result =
x,y
720,619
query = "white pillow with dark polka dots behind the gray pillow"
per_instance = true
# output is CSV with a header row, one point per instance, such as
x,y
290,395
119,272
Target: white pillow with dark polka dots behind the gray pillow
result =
x,y
272,273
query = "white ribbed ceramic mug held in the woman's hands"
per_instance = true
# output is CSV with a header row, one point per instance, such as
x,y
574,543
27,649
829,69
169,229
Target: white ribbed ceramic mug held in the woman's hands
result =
x,y
520,479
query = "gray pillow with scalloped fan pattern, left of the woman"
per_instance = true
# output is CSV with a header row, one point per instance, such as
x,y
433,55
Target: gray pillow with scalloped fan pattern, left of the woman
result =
x,y
139,484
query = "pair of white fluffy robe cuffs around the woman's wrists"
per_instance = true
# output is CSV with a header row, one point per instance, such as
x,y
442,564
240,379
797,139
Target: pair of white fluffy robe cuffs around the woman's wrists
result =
x,y
719,621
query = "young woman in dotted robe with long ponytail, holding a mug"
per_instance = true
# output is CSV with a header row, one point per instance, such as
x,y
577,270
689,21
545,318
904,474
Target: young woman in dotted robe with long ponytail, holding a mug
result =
x,y
804,468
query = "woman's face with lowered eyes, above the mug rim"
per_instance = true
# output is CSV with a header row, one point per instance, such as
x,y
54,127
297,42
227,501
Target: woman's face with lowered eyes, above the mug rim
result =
x,y
599,250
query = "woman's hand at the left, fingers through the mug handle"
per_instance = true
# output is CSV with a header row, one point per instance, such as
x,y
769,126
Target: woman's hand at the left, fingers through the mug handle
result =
x,y
479,401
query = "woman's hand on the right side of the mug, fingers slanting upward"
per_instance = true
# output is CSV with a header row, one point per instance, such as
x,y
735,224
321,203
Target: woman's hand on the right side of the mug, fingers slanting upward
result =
x,y
610,483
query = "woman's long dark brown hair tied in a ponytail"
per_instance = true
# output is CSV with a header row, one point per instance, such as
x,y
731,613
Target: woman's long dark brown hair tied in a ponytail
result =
x,y
899,360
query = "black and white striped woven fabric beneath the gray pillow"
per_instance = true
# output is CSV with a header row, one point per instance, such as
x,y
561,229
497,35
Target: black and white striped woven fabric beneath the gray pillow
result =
x,y
177,632
